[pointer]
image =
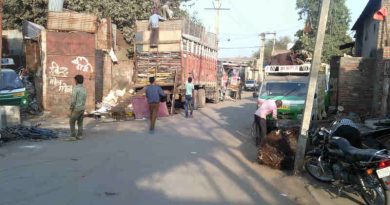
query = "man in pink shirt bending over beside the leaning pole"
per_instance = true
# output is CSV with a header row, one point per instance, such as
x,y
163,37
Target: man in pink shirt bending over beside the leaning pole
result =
x,y
266,107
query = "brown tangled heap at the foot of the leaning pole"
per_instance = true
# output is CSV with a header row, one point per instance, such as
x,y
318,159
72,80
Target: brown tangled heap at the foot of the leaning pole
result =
x,y
278,149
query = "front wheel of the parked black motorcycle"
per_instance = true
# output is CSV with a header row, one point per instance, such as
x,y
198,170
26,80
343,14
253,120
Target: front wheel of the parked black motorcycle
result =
x,y
313,168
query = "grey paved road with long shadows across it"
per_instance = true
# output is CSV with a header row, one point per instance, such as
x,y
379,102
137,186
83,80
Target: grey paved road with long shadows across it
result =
x,y
205,160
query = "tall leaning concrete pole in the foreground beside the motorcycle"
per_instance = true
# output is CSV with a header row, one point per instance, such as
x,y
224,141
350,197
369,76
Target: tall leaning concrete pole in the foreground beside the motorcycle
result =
x,y
315,67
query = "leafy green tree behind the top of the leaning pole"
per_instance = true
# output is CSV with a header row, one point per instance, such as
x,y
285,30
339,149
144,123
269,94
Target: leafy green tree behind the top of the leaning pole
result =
x,y
336,32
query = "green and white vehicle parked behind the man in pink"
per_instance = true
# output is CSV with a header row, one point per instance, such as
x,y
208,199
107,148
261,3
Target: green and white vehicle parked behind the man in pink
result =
x,y
289,83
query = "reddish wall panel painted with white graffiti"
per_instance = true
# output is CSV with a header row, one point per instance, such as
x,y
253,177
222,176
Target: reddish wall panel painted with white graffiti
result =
x,y
65,56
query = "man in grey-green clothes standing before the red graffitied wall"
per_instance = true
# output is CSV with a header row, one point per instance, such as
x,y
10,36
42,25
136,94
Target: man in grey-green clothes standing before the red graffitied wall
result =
x,y
77,108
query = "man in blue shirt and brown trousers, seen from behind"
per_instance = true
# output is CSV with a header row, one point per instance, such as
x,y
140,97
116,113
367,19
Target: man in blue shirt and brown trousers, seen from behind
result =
x,y
153,94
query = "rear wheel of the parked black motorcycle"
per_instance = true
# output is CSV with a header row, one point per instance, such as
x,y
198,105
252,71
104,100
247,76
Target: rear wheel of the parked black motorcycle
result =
x,y
375,194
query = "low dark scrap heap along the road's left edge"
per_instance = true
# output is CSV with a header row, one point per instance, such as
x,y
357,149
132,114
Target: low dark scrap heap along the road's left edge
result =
x,y
23,133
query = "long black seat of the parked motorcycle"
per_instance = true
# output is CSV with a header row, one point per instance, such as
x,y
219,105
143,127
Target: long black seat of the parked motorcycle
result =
x,y
352,153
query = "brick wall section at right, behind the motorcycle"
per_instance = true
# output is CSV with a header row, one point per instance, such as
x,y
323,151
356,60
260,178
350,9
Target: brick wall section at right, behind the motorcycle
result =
x,y
352,82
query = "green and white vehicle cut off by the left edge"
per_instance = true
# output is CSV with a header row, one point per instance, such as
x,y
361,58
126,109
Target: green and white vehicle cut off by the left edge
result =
x,y
12,90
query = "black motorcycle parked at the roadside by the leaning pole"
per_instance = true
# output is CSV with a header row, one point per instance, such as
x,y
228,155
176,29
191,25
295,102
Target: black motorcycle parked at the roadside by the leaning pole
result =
x,y
334,160
